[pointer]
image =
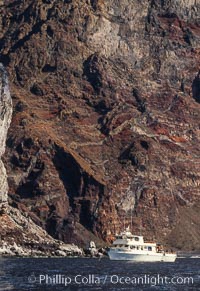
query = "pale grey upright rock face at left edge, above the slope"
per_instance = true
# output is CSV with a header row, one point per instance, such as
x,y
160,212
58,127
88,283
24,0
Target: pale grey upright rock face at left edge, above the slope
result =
x,y
5,119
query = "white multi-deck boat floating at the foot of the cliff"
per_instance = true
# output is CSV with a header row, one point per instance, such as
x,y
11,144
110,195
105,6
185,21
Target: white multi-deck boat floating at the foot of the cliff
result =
x,y
129,247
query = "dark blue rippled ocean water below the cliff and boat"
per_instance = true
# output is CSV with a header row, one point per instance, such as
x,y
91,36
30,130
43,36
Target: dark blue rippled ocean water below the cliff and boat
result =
x,y
82,274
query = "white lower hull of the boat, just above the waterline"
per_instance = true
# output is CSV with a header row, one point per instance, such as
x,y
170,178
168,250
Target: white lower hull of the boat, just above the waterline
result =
x,y
139,257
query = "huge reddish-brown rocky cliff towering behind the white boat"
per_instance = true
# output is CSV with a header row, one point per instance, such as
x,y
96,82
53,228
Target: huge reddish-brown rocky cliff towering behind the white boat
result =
x,y
106,116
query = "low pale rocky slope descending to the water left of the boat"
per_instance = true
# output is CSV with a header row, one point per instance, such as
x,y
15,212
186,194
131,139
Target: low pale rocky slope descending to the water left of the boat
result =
x,y
21,237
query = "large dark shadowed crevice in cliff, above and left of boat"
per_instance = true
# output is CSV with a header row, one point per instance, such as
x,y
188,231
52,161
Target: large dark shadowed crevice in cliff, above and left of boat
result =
x,y
84,192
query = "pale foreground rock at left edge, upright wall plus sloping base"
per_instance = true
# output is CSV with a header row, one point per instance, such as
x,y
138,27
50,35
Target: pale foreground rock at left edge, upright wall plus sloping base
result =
x,y
19,235
